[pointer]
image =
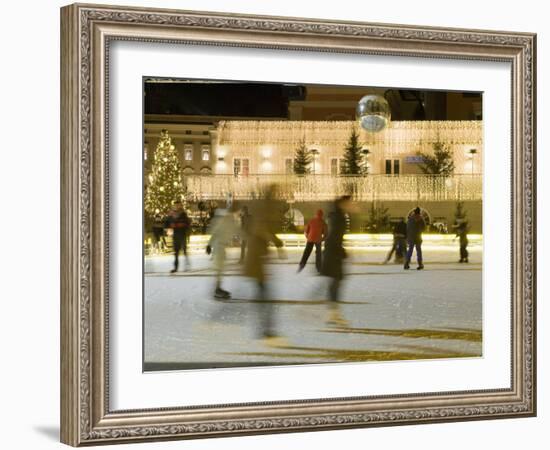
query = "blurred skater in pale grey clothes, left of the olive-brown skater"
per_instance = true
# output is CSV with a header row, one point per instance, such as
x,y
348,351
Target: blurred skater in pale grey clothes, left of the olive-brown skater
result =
x,y
223,228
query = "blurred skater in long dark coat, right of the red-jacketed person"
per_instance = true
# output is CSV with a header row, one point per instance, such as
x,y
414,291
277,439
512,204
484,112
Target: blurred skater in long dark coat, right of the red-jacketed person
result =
x,y
334,255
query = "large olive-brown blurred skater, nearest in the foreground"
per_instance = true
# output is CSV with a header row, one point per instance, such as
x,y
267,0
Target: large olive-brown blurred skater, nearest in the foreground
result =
x,y
261,232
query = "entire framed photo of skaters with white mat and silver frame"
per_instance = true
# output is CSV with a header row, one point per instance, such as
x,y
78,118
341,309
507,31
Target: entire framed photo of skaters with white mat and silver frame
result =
x,y
281,224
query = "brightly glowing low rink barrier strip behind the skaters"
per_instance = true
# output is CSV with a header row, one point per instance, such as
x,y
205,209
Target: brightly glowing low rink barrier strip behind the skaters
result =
x,y
198,243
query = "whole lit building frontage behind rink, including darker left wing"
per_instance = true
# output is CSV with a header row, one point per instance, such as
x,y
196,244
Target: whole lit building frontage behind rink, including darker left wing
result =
x,y
238,159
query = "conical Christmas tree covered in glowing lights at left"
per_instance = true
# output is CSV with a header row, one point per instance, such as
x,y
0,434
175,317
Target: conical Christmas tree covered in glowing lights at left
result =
x,y
165,183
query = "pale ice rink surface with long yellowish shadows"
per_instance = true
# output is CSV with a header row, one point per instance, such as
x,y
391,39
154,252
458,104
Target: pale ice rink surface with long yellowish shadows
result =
x,y
391,313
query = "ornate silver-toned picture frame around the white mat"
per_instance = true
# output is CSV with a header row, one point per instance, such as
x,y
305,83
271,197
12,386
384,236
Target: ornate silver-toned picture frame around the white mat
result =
x,y
87,32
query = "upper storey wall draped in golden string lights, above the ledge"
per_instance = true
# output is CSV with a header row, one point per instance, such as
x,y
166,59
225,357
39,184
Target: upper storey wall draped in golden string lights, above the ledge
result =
x,y
268,147
